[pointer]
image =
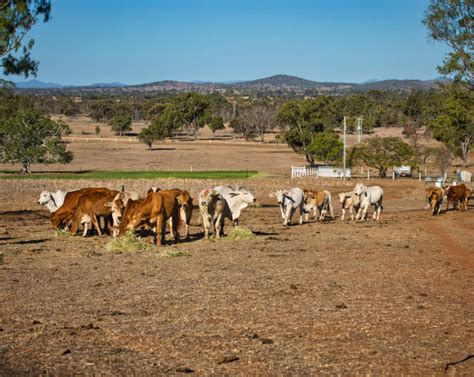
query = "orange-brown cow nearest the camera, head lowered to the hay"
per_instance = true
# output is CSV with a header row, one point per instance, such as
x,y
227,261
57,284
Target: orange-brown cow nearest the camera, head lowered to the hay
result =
x,y
155,210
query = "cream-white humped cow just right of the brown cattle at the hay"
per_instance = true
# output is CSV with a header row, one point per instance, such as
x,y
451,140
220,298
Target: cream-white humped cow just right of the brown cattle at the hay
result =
x,y
220,203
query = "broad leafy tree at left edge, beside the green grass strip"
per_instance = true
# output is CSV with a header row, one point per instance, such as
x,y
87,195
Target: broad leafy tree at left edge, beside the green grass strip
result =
x,y
28,137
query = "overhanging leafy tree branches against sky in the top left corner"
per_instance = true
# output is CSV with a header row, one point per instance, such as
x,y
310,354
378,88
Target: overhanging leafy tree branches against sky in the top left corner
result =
x,y
17,17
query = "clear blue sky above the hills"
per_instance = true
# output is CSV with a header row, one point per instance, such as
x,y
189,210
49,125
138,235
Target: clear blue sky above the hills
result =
x,y
137,41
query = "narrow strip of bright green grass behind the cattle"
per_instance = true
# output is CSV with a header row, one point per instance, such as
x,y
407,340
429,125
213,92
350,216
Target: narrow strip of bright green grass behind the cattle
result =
x,y
224,174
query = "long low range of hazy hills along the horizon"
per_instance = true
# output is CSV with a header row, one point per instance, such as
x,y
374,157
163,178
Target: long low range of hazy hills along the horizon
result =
x,y
277,84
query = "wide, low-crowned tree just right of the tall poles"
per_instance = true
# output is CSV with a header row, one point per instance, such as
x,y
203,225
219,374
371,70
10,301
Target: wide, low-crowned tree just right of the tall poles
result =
x,y
383,153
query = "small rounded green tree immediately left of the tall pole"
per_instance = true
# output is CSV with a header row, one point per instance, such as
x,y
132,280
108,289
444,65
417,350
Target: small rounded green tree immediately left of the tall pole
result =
x,y
326,147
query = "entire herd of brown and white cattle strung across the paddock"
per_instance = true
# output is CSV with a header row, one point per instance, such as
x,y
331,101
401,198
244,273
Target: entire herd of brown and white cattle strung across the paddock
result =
x,y
124,211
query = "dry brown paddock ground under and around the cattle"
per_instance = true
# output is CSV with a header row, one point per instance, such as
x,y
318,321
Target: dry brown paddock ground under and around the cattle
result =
x,y
391,298
